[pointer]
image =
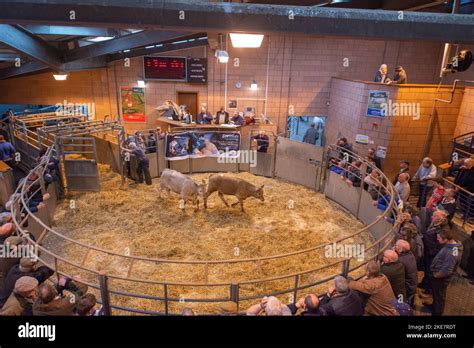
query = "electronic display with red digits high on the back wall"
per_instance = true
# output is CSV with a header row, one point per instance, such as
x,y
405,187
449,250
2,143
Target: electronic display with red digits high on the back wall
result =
x,y
165,68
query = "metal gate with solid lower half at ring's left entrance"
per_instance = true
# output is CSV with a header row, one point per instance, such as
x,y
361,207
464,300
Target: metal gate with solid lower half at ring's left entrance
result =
x,y
78,163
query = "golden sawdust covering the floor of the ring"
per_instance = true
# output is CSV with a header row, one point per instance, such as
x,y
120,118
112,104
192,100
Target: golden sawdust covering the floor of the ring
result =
x,y
134,221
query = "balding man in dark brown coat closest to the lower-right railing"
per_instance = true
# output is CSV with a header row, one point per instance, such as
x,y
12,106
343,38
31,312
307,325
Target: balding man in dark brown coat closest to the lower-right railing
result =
x,y
395,272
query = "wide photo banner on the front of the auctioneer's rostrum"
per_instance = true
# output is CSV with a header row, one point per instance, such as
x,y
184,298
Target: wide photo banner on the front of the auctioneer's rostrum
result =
x,y
195,144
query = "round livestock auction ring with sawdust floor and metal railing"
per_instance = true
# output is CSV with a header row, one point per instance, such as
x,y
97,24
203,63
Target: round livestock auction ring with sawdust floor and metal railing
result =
x,y
143,254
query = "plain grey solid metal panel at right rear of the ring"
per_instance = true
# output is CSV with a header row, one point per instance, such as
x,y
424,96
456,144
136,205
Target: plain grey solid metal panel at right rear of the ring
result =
x,y
299,162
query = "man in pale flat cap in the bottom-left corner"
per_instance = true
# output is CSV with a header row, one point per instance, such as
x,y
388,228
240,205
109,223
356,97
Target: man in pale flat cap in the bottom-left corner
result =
x,y
20,302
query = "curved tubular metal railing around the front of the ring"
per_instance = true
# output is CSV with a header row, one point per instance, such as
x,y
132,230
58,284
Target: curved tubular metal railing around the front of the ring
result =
x,y
105,282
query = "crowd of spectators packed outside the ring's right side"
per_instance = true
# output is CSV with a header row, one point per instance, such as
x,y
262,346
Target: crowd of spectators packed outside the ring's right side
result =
x,y
425,236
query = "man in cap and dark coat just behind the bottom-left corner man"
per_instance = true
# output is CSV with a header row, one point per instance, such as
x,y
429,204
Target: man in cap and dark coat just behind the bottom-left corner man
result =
x,y
26,267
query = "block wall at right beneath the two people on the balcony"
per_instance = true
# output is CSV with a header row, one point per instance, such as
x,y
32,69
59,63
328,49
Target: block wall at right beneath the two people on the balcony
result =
x,y
403,135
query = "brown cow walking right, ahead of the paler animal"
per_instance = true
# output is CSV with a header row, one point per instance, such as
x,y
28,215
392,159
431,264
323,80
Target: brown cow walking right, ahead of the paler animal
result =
x,y
239,188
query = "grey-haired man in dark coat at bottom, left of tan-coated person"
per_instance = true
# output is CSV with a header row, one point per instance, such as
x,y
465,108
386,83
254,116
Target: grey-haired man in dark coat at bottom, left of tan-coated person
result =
x,y
341,300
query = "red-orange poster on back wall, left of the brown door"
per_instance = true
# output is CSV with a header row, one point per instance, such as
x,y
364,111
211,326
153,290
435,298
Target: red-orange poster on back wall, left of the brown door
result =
x,y
133,104
